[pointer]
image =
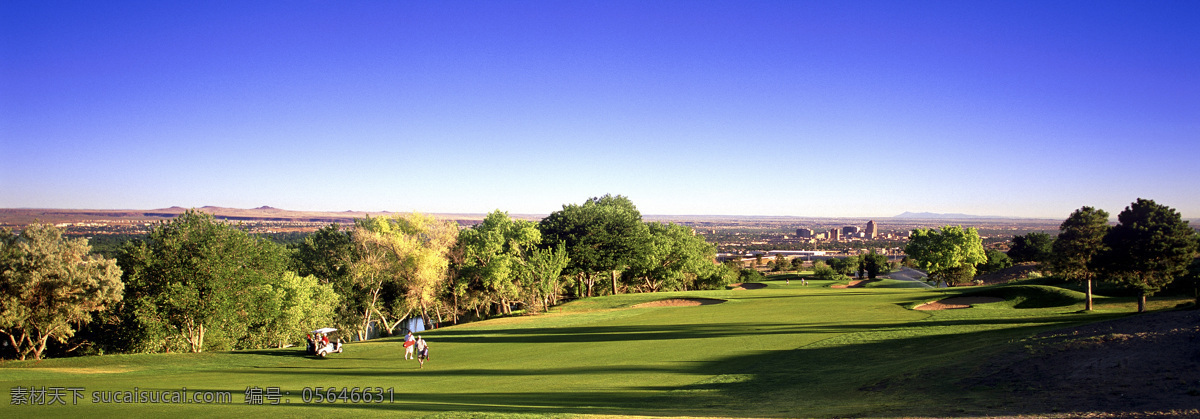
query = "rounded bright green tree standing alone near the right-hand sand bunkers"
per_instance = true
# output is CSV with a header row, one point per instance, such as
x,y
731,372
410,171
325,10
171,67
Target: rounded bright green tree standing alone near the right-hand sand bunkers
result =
x,y
950,255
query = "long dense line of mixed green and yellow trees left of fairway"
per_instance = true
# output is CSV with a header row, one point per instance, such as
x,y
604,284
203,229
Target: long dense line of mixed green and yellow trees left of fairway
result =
x,y
197,284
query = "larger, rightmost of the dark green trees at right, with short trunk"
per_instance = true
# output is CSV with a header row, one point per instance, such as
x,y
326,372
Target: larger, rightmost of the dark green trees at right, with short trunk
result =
x,y
1149,249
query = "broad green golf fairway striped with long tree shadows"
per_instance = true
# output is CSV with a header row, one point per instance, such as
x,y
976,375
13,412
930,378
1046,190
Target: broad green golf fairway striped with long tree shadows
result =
x,y
782,351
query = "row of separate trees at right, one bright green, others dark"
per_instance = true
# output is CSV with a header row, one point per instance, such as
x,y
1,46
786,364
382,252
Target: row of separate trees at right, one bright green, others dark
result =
x,y
1150,248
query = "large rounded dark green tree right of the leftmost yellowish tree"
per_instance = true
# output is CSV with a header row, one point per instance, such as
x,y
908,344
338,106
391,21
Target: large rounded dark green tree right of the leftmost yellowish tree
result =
x,y
196,284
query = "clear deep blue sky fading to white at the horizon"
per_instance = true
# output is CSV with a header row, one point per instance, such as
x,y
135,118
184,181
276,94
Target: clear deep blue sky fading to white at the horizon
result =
x,y
807,109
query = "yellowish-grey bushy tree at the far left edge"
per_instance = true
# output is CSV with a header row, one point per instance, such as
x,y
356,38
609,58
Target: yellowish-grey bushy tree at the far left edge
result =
x,y
51,285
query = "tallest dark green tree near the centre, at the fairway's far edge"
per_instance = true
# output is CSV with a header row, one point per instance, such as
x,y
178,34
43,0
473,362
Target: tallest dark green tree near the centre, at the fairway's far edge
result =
x,y
603,237
